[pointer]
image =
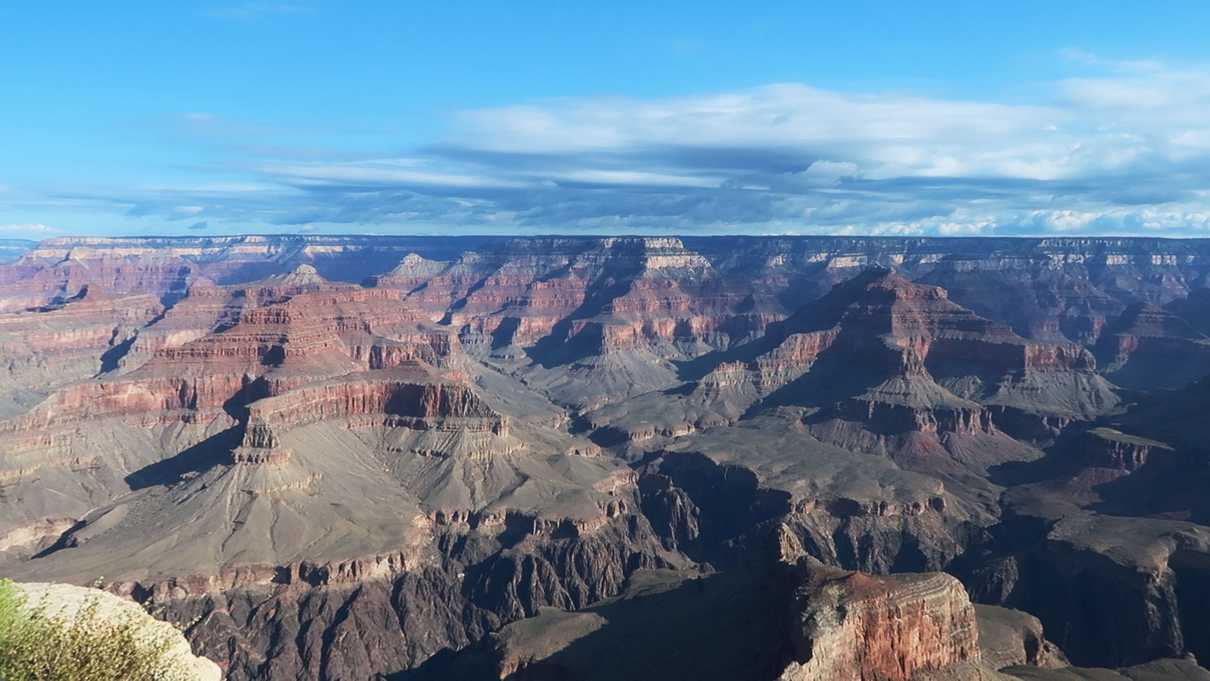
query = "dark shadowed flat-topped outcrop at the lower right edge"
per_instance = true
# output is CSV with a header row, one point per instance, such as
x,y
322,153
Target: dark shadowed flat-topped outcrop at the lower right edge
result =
x,y
1156,570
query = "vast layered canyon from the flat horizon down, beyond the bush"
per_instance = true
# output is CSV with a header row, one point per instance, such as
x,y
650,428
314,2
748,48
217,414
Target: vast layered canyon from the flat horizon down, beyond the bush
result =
x,y
345,458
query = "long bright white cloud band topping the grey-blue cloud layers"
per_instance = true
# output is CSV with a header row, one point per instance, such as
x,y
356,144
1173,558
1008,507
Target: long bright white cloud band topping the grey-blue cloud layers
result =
x,y
892,134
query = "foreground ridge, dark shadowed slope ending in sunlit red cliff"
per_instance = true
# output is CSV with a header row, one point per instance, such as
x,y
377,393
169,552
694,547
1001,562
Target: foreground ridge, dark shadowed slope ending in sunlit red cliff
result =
x,y
834,627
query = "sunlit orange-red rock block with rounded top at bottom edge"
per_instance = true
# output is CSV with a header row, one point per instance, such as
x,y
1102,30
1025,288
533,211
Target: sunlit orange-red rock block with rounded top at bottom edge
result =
x,y
856,627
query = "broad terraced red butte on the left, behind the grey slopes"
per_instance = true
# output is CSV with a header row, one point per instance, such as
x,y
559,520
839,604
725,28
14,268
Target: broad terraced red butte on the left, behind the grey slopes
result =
x,y
286,345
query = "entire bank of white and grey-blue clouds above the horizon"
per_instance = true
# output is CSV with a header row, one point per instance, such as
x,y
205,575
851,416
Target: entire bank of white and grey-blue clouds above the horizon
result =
x,y
1122,149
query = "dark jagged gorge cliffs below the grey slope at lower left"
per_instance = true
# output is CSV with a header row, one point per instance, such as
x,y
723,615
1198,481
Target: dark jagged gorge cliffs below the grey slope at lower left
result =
x,y
387,620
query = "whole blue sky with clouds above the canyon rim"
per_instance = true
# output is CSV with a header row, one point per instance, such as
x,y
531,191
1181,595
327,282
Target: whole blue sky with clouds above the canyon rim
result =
x,y
528,118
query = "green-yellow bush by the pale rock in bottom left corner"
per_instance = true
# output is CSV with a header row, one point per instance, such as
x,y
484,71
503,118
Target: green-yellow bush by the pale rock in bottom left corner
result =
x,y
36,647
